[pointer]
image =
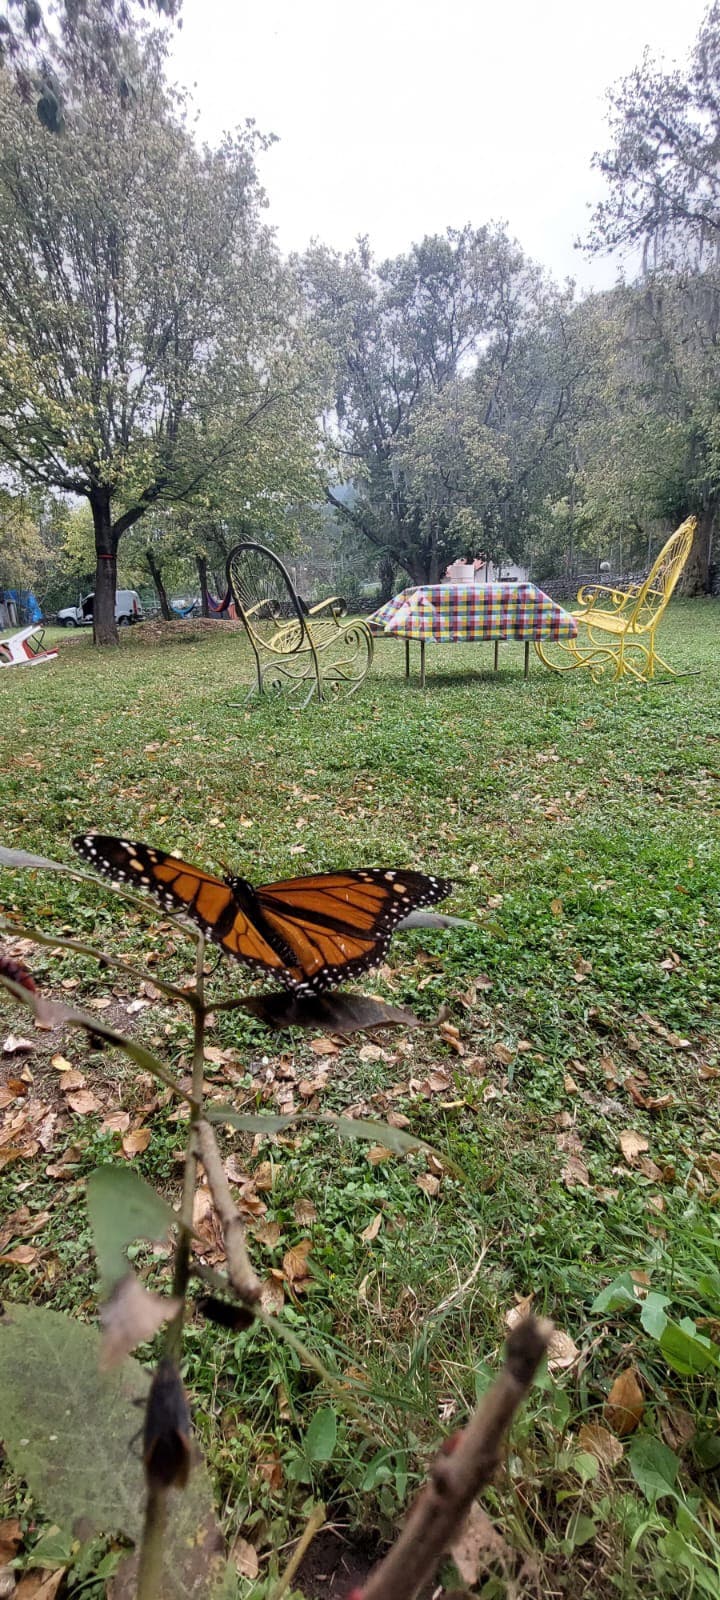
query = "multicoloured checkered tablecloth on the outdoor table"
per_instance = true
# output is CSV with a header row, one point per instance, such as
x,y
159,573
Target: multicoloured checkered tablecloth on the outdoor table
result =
x,y
468,614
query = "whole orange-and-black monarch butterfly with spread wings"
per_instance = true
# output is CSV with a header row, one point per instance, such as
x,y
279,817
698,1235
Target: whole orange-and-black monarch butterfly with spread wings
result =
x,y
310,932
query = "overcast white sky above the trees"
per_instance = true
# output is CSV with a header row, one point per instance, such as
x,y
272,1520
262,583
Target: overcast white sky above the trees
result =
x,y
401,118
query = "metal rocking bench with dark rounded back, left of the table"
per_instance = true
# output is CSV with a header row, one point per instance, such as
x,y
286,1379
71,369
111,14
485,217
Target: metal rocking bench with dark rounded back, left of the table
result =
x,y
297,647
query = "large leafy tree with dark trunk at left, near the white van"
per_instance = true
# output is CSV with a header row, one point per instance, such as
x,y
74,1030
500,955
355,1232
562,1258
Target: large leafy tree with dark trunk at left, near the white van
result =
x,y
150,334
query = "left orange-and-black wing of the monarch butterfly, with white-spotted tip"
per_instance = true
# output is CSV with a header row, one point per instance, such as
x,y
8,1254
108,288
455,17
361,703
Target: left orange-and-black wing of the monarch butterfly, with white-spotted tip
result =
x,y
183,887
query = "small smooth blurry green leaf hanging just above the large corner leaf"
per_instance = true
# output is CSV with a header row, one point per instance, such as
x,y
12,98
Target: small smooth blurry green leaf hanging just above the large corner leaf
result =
x,y
122,1207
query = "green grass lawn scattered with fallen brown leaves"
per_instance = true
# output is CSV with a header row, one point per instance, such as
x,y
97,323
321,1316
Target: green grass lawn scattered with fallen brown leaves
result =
x,y
580,826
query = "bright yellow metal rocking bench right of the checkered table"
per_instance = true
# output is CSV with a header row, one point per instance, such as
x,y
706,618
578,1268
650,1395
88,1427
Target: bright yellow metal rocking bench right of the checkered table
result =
x,y
617,628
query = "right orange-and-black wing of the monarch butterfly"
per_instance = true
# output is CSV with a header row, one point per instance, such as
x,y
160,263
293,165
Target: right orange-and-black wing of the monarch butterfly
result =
x,y
340,924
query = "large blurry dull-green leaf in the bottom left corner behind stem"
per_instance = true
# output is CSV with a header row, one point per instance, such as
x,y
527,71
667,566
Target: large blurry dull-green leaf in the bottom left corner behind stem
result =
x,y
71,1433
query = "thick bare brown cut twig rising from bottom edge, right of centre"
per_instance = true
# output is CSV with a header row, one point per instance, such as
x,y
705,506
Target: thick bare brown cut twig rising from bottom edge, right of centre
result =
x,y
457,1478
